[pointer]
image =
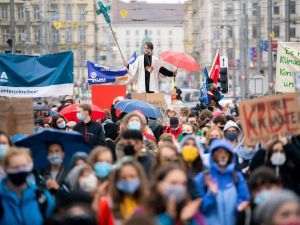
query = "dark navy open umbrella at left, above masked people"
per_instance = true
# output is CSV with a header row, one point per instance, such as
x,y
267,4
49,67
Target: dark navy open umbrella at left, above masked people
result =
x,y
72,142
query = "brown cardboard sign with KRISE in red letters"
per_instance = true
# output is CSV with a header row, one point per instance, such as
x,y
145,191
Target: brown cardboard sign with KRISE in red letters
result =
x,y
264,118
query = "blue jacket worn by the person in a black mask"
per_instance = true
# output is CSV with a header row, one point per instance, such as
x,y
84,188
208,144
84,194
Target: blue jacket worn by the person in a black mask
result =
x,y
23,210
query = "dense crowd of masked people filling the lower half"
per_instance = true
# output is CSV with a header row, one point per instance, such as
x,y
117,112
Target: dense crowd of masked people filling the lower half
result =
x,y
189,168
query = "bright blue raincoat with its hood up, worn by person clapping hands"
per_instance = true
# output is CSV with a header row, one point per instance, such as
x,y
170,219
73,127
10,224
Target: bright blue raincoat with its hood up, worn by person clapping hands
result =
x,y
221,208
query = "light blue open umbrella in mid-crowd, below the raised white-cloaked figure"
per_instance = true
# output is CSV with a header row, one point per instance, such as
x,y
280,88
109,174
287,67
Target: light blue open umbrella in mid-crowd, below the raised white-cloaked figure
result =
x,y
130,105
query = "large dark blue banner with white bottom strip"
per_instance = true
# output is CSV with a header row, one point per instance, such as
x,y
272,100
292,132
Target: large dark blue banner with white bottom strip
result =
x,y
36,76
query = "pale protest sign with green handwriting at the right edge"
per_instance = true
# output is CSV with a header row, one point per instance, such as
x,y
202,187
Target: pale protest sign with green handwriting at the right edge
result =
x,y
288,64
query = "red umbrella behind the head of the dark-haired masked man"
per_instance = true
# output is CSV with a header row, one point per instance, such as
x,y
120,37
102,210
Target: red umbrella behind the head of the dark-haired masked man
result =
x,y
70,113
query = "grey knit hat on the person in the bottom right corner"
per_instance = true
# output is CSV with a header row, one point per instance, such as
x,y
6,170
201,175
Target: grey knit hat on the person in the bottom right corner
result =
x,y
266,211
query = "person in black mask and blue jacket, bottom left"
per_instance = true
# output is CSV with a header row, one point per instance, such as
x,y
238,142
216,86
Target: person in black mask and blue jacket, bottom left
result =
x,y
21,201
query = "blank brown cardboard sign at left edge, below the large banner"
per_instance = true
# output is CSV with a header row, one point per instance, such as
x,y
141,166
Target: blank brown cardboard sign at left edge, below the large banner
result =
x,y
16,115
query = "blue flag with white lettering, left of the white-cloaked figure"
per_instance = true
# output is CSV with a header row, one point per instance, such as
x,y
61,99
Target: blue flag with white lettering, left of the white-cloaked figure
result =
x,y
101,75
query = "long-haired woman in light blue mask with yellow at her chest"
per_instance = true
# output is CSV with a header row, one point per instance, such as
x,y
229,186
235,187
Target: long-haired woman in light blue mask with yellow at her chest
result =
x,y
127,192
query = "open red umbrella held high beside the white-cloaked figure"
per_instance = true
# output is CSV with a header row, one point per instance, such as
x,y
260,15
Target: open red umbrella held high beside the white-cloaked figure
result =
x,y
180,60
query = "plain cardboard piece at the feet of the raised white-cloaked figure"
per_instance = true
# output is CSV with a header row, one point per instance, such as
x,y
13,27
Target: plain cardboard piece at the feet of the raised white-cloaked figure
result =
x,y
157,99
